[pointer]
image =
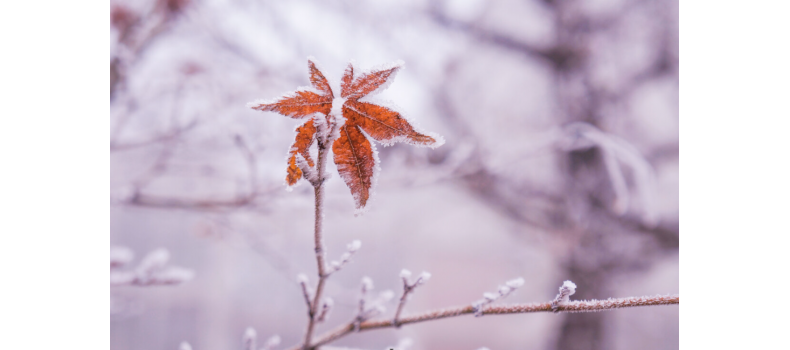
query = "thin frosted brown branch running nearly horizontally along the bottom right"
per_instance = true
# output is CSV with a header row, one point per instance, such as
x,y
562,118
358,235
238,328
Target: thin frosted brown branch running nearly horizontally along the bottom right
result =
x,y
573,306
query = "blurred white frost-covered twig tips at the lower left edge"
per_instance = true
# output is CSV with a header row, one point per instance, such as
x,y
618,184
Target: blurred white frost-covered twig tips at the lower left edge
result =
x,y
152,270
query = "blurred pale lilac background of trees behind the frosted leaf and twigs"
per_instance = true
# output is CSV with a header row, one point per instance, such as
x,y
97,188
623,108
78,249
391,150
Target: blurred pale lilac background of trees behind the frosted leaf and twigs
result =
x,y
560,163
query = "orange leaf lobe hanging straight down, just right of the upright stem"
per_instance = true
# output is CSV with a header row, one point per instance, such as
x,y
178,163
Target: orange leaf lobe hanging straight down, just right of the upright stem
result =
x,y
355,161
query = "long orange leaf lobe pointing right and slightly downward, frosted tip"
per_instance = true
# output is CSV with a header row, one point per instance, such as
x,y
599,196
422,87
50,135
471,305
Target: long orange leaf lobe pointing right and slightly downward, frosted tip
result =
x,y
383,124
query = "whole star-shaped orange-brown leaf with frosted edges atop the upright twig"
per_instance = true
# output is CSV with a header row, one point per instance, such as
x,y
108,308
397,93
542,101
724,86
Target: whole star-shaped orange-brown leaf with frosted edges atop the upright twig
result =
x,y
354,154
